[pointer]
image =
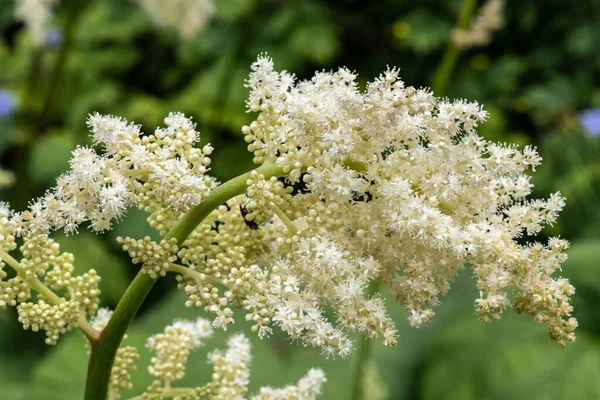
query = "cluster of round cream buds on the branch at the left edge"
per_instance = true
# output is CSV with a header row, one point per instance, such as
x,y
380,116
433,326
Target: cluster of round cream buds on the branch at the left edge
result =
x,y
44,269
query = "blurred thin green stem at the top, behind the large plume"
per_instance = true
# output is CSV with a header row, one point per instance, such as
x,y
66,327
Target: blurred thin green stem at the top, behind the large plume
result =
x,y
444,71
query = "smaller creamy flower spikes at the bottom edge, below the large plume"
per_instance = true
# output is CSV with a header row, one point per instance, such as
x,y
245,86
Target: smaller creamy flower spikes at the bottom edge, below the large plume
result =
x,y
231,368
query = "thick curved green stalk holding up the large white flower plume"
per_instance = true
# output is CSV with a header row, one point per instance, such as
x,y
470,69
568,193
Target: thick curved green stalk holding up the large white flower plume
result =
x,y
103,351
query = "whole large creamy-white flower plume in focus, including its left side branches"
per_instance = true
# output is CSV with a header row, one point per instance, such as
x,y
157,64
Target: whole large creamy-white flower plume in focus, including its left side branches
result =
x,y
387,188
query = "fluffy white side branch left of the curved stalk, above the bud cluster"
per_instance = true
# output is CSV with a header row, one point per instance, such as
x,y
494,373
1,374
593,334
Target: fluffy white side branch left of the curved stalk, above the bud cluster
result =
x,y
154,172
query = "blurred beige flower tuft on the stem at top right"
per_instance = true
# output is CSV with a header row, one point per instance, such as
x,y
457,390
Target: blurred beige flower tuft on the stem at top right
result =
x,y
487,20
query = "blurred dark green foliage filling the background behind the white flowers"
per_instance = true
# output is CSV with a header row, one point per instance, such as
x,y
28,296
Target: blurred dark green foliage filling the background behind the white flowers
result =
x,y
539,78
